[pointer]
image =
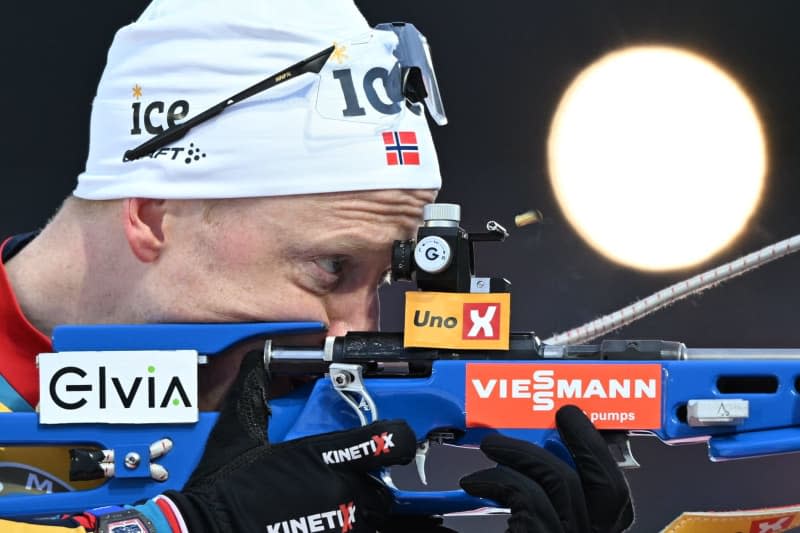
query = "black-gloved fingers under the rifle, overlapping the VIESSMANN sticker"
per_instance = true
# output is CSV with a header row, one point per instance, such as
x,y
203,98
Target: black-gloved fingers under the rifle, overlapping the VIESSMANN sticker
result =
x,y
547,495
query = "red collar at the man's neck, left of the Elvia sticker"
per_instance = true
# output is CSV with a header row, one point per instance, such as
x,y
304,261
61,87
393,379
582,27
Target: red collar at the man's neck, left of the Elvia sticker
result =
x,y
20,343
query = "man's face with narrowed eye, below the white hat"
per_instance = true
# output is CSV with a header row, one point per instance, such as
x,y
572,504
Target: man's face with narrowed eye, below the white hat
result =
x,y
317,257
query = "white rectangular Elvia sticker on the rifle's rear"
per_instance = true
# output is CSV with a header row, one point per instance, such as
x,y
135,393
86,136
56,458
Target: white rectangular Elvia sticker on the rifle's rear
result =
x,y
120,387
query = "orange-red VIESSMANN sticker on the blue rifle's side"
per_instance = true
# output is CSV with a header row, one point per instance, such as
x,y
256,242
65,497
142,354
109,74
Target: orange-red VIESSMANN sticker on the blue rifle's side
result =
x,y
527,395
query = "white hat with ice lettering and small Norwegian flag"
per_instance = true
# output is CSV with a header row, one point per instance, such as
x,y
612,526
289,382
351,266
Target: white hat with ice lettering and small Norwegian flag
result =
x,y
335,131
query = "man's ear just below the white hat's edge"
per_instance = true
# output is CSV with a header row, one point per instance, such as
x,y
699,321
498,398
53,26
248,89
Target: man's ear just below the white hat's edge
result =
x,y
143,219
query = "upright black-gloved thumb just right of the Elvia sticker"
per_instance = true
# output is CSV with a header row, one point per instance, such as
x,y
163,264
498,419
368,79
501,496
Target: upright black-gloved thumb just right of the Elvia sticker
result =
x,y
243,420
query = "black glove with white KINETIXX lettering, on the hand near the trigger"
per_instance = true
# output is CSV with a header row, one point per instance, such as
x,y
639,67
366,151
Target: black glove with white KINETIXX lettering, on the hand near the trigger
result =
x,y
244,484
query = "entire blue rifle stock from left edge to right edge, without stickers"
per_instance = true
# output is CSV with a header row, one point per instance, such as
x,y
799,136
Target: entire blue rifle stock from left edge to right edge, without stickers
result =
x,y
428,391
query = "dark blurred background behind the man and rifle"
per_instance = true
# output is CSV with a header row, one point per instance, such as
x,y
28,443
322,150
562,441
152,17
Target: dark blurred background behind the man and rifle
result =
x,y
502,67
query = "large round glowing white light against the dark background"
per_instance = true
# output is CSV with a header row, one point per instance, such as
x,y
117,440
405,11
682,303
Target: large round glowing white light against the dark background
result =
x,y
657,157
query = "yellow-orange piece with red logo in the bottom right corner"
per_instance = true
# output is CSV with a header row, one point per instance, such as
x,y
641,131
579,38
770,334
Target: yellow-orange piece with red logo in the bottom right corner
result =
x,y
770,520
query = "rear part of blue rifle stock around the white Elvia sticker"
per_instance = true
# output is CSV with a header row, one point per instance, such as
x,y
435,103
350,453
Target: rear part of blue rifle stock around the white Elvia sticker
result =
x,y
129,485
